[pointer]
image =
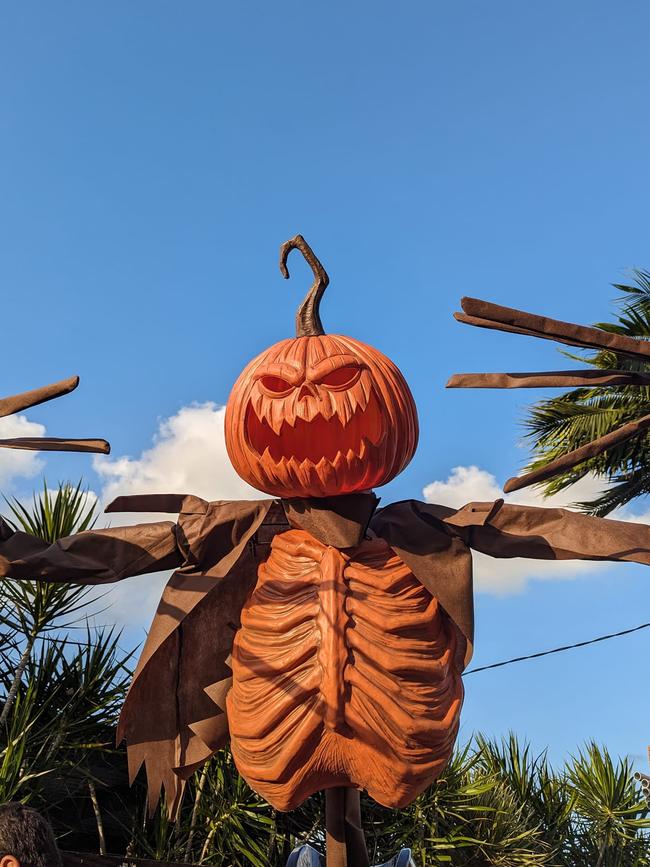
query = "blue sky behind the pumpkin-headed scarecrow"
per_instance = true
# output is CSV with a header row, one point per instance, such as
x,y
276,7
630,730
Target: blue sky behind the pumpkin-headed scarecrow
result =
x,y
153,156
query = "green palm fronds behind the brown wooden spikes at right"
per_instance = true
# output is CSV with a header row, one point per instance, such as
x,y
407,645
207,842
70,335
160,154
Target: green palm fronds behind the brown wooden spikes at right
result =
x,y
558,425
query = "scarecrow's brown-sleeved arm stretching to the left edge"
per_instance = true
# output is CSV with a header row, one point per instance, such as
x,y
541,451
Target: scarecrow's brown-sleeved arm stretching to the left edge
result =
x,y
91,557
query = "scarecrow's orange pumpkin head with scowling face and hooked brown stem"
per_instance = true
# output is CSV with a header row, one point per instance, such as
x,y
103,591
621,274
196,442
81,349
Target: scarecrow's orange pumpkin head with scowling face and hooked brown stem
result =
x,y
319,414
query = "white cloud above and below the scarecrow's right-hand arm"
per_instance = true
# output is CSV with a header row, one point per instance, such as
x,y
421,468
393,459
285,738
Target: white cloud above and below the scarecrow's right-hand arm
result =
x,y
467,484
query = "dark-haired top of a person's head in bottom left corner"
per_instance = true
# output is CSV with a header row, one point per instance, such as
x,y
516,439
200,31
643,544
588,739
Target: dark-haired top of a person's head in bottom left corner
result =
x,y
27,836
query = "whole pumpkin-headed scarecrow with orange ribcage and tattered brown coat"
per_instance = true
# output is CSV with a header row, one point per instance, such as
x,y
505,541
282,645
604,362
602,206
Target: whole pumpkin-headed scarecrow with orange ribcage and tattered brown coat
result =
x,y
324,637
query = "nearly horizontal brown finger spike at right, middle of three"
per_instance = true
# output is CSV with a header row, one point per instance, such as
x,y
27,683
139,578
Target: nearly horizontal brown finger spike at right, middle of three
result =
x,y
549,379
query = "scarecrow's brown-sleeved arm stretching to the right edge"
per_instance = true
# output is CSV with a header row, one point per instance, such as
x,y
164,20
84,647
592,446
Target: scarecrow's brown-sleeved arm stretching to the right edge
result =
x,y
507,530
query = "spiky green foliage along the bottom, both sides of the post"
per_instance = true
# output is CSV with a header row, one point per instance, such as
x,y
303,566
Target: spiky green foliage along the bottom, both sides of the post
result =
x,y
495,804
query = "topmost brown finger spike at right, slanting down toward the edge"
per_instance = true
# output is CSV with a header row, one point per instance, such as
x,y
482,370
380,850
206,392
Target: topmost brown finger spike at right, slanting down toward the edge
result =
x,y
484,314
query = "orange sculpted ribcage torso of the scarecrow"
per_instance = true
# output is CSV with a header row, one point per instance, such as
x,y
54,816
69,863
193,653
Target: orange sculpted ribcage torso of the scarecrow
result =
x,y
345,670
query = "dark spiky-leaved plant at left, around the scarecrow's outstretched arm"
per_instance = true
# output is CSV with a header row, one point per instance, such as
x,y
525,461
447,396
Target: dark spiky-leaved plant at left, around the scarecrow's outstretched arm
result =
x,y
60,697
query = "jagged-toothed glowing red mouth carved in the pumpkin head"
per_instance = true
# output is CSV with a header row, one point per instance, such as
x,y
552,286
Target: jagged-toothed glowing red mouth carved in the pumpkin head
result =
x,y
319,439
